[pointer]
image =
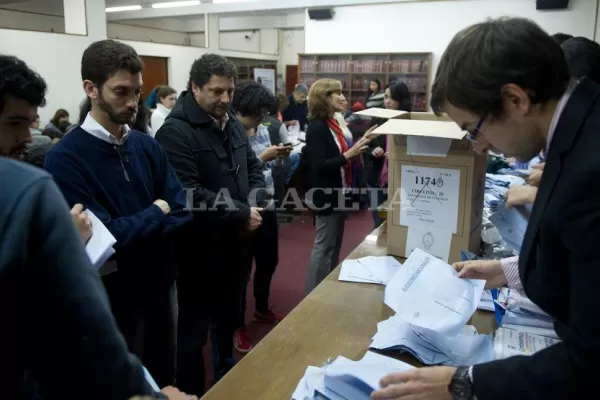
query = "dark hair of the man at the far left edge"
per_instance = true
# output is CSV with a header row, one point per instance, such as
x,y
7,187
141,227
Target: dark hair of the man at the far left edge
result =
x,y
19,81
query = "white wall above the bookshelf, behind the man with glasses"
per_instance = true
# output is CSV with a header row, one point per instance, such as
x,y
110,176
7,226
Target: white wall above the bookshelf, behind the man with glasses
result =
x,y
429,26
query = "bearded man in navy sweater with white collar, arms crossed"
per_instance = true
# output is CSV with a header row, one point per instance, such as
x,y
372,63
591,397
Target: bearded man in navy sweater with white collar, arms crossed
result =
x,y
124,178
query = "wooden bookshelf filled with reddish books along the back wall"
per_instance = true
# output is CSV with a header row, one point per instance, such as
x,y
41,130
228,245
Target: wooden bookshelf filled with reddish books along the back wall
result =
x,y
356,71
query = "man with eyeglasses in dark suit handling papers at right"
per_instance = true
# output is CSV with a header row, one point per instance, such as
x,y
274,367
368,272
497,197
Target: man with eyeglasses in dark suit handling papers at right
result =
x,y
506,81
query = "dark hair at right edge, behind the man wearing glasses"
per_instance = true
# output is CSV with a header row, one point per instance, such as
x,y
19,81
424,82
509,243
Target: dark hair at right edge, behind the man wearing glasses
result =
x,y
583,58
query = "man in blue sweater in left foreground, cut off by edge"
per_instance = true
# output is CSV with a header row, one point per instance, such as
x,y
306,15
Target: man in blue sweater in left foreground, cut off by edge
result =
x,y
57,325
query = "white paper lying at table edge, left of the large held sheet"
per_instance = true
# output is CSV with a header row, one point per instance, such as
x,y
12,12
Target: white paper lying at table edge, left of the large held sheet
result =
x,y
379,270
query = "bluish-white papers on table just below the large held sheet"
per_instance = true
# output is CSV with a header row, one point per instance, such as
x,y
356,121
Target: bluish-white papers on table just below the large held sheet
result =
x,y
431,348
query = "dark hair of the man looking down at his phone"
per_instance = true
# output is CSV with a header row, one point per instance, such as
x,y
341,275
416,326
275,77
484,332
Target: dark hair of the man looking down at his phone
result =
x,y
252,99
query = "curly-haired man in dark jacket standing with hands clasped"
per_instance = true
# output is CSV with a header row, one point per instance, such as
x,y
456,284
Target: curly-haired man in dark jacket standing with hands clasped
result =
x,y
209,150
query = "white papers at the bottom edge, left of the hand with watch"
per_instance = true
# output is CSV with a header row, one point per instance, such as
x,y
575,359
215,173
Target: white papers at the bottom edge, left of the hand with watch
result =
x,y
345,379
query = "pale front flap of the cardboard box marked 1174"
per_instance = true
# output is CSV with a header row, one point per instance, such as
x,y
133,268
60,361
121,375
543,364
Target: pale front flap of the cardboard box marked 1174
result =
x,y
433,129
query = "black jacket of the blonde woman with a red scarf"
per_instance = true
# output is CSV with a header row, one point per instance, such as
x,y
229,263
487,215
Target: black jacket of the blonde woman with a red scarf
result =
x,y
324,161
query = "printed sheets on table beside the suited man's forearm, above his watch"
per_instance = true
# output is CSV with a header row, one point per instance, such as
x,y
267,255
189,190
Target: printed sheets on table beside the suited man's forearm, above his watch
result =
x,y
508,343
